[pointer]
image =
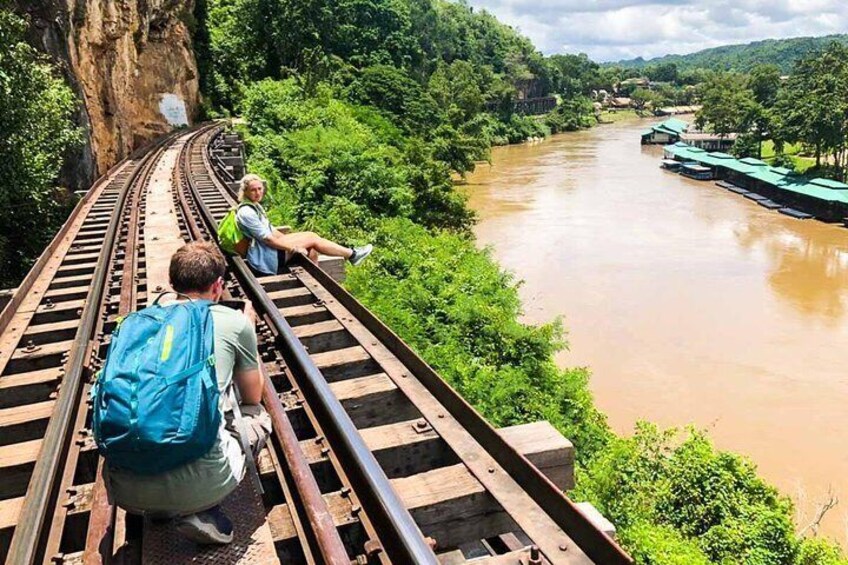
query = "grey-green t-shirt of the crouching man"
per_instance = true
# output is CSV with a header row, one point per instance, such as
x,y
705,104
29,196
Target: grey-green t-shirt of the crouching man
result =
x,y
206,481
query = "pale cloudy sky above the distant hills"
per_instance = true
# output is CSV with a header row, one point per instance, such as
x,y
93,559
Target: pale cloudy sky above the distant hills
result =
x,y
609,30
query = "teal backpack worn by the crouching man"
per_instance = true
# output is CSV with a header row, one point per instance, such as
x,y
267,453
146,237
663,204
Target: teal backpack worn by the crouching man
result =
x,y
156,399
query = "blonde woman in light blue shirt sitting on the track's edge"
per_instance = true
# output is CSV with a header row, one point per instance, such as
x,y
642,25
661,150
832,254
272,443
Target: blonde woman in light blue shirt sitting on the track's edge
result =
x,y
271,248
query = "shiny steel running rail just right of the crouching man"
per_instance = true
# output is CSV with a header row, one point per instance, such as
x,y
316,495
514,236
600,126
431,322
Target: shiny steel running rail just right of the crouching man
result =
x,y
400,535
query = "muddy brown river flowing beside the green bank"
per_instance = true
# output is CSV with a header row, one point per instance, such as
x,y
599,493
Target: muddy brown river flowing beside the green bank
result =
x,y
689,303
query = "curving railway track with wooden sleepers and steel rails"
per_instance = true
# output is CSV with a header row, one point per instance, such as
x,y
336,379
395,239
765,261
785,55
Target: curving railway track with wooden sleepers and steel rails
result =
x,y
373,459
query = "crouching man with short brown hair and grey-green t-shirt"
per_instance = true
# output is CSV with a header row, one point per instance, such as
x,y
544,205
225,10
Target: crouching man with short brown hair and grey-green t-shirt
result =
x,y
192,492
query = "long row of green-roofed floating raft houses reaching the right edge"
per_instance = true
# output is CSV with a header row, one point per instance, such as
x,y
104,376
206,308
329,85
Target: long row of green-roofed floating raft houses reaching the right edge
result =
x,y
825,199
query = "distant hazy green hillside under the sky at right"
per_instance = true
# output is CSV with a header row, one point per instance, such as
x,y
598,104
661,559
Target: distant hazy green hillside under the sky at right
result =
x,y
782,52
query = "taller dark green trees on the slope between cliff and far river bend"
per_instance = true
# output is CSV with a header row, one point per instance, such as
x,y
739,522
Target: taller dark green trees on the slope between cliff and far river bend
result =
x,y
438,70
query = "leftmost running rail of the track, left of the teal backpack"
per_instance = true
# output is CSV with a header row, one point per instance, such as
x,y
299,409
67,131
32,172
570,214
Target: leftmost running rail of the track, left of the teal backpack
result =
x,y
40,493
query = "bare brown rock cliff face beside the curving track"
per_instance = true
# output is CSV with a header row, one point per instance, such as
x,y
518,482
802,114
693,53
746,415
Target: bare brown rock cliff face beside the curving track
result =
x,y
130,61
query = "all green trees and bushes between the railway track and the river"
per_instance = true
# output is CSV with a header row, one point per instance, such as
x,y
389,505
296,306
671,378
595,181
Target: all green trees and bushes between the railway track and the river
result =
x,y
360,117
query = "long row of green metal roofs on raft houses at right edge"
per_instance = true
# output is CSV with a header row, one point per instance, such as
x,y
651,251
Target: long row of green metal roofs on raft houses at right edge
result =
x,y
824,189
